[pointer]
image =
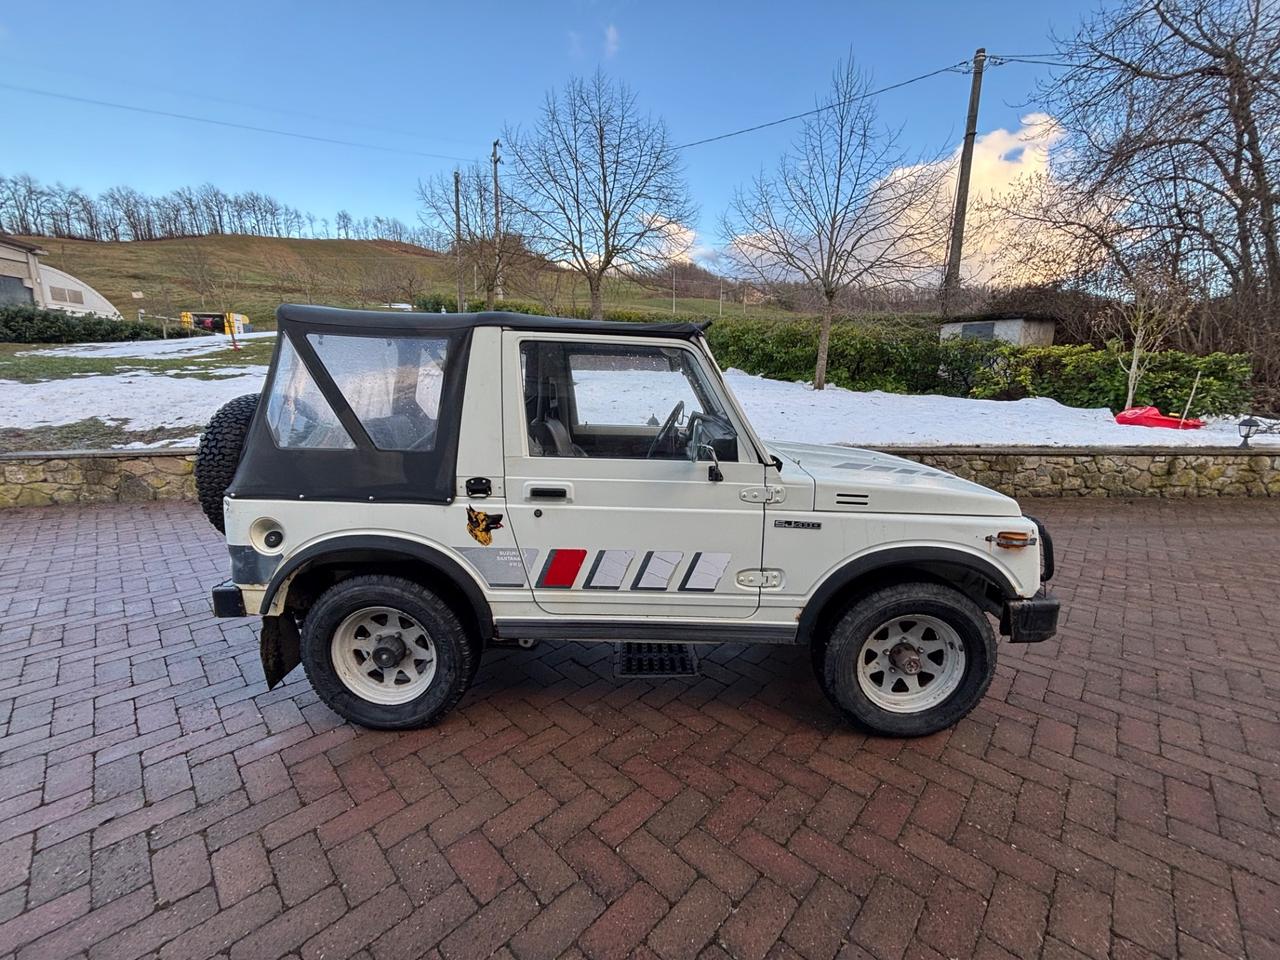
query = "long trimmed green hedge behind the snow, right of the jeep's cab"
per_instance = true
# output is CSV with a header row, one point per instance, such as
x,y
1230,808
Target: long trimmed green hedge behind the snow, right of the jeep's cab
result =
x,y
902,360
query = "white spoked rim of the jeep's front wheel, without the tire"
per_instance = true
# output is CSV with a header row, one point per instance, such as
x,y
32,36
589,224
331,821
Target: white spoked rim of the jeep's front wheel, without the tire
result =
x,y
911,664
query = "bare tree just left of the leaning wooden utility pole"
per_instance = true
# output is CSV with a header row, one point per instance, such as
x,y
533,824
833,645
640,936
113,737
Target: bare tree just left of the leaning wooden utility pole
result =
x,y
847,208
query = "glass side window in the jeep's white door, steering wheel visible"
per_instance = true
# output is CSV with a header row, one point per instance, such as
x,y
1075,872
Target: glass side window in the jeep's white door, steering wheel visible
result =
x,y
621,401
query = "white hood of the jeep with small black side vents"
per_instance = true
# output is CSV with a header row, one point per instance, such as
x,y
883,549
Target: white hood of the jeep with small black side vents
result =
x,y
853,481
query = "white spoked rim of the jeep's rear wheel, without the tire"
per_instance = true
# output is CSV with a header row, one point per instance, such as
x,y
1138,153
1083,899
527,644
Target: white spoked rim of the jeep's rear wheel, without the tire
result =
x,y
383,656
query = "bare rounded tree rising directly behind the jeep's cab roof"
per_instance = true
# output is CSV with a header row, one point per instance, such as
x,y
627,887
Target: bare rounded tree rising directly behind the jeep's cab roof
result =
x,y
600,184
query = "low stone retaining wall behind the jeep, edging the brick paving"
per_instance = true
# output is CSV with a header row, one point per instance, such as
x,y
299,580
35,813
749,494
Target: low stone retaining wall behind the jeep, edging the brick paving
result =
x,y
89,477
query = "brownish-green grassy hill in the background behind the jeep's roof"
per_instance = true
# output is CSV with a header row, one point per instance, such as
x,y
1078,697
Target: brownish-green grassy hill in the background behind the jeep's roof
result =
x,y
255,275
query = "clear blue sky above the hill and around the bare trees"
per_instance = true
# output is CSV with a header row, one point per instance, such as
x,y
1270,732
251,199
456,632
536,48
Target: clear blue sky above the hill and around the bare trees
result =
x,y
442,79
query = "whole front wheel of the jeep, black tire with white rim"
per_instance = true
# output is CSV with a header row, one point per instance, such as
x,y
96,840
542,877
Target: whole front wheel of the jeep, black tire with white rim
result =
x,y
909,660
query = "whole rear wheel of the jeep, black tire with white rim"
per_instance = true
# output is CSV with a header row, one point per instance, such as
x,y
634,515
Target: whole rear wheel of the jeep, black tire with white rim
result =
x,y
385,652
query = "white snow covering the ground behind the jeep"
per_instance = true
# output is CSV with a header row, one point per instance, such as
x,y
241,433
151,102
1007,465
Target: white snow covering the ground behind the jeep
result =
x,y
779,410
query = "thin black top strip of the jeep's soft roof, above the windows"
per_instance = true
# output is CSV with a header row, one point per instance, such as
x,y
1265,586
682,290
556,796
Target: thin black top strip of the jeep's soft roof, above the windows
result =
x,y
405,322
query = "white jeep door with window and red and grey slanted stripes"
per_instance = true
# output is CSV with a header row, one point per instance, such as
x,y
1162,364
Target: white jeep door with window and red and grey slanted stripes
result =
x,y
612,518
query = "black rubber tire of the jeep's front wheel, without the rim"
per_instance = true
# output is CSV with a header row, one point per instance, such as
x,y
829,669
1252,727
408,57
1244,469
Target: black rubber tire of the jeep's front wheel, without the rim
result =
x,y
856,629
